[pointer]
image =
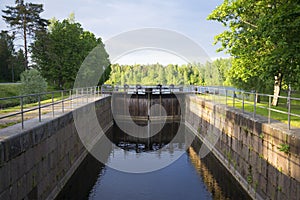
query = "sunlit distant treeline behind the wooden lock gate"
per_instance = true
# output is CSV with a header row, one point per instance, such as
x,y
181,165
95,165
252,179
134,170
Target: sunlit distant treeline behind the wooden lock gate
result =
x,y
213,73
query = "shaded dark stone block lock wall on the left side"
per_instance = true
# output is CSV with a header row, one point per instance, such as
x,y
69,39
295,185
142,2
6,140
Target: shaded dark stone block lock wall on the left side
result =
x,y
36,162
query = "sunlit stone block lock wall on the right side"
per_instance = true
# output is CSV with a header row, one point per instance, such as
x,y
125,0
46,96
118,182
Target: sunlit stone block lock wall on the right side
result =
x,y
251,149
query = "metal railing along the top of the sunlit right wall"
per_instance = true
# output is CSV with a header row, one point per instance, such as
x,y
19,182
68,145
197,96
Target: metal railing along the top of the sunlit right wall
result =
x,y
231,97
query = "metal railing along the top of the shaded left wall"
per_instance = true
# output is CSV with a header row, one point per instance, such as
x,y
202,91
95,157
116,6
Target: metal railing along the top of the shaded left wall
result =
x,y
61,99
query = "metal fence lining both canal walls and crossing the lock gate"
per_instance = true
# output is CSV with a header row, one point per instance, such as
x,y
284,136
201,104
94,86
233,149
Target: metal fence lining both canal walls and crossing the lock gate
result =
x,y
78,96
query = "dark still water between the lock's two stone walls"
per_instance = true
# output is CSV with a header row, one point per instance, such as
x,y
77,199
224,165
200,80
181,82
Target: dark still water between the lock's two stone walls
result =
x,y
186,178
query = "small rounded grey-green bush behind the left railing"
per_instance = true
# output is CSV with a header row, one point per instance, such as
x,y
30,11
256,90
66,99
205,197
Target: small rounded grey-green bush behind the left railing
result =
x,y
32,83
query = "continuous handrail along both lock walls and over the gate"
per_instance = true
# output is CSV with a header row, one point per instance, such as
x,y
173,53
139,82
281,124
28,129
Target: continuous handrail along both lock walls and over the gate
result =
x,y
84,93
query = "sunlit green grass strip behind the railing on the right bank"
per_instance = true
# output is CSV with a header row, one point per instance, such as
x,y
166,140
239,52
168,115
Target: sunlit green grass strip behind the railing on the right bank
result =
x,y
262,107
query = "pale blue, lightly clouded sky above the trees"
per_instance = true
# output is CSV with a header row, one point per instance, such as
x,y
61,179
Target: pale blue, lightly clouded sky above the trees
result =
x,y
108,18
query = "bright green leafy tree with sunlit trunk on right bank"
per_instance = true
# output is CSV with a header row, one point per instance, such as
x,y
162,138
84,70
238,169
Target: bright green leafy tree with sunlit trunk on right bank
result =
x,y
263,39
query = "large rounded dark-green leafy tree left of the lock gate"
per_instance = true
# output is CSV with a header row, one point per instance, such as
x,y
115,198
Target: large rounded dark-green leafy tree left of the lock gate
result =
x,y
60,51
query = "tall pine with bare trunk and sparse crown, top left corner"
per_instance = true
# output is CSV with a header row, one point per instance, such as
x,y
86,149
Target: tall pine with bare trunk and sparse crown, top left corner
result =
x,y
25,20
